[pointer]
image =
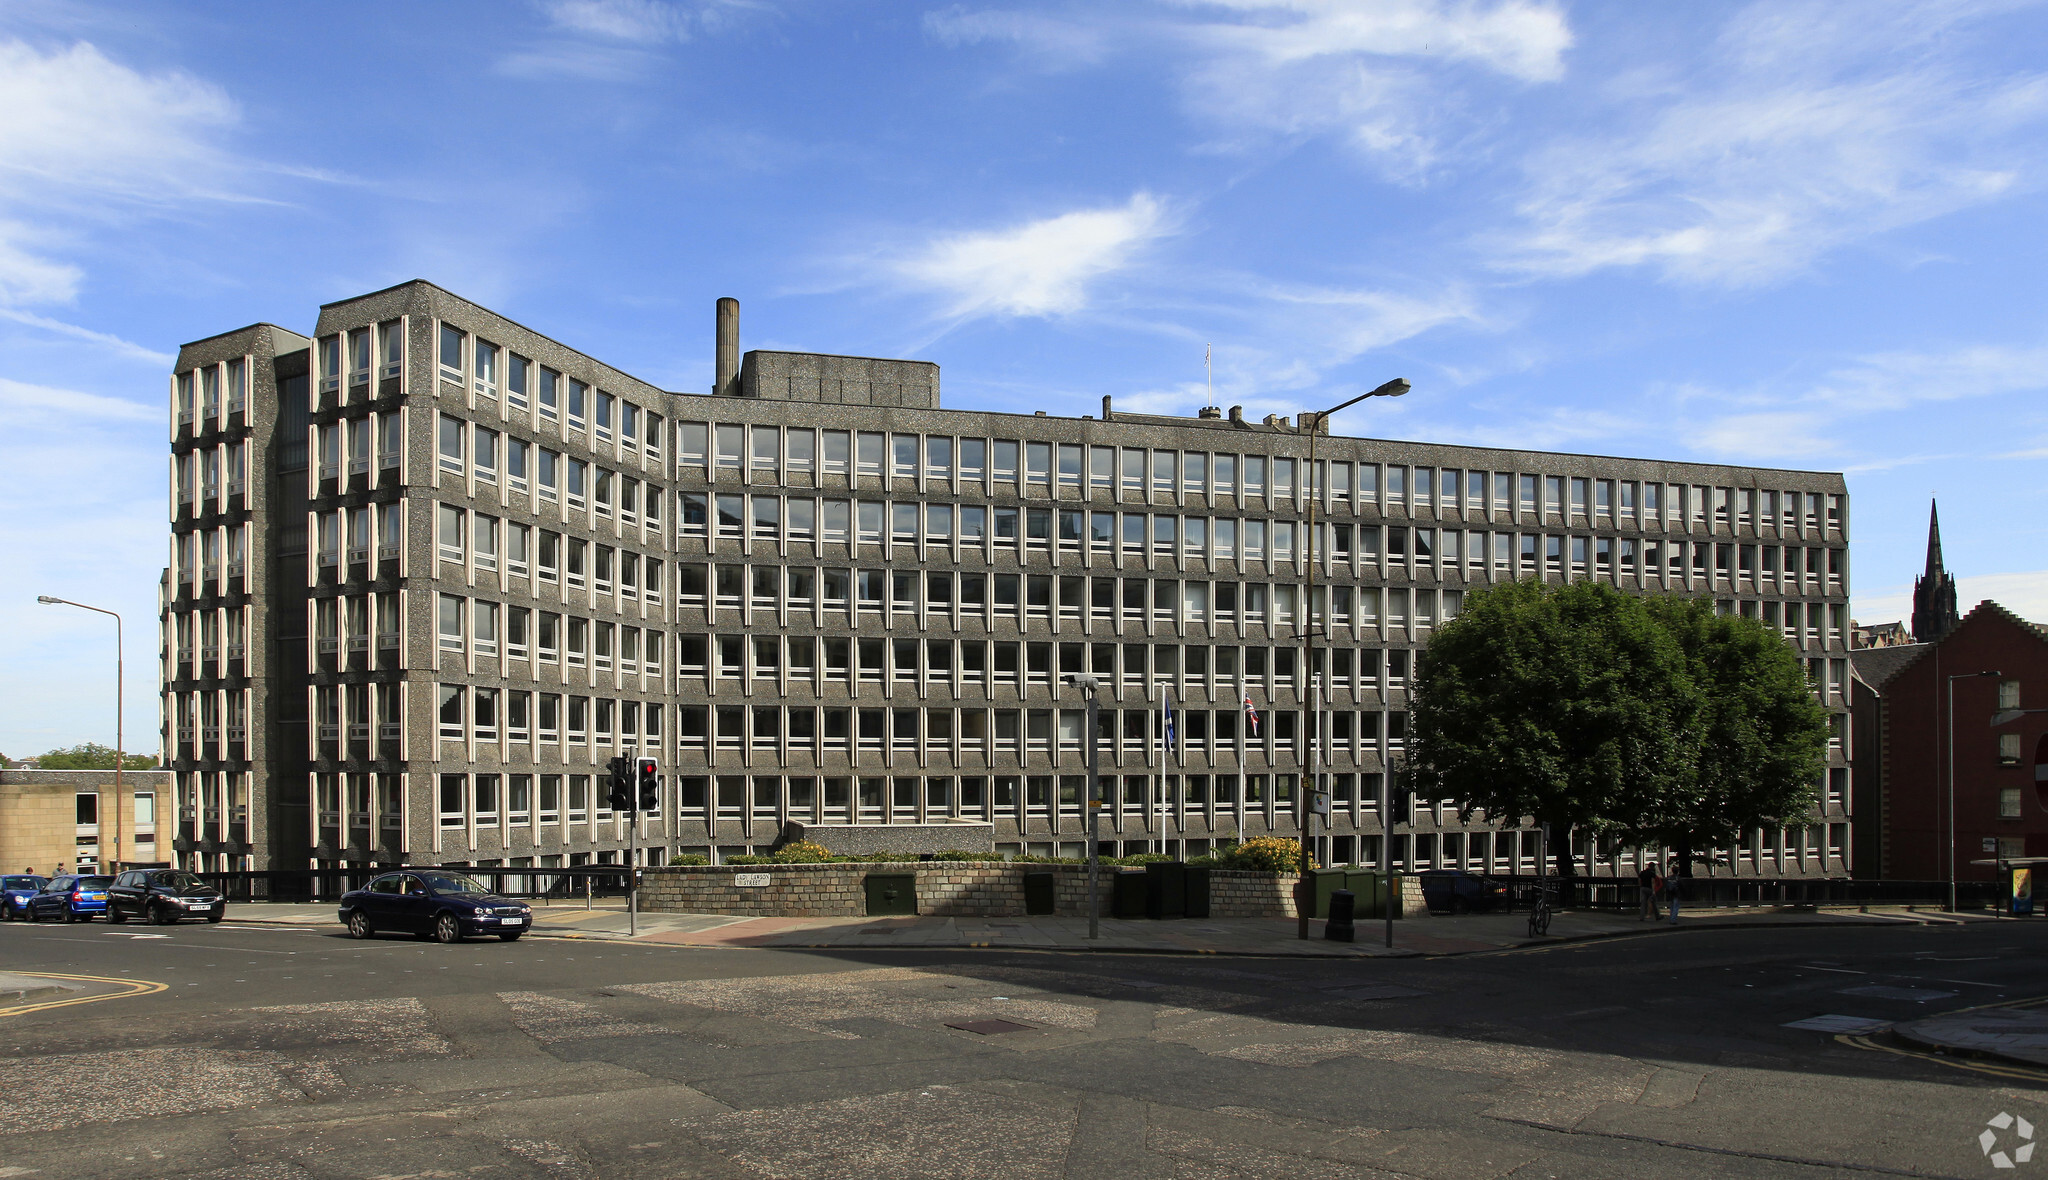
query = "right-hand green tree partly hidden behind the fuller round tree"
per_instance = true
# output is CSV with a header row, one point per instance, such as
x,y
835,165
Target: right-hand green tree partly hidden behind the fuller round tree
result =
x,y
1758,741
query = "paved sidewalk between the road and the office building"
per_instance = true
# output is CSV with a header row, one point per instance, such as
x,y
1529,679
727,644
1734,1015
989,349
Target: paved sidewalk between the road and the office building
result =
x,y
1246,937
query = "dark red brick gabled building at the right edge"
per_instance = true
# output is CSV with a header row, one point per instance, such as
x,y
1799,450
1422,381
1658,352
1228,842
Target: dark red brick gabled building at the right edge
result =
x,y
1910,751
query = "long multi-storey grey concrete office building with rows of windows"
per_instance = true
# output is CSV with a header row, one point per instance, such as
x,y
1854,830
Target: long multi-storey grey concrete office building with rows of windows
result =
x,y
433,571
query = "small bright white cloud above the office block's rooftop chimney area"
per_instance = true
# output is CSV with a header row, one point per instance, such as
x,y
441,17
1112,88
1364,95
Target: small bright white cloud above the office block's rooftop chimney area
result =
x,y
1039,267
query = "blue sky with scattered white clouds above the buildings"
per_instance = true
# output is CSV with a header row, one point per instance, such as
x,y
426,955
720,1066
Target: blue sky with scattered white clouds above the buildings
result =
x,y
1783,235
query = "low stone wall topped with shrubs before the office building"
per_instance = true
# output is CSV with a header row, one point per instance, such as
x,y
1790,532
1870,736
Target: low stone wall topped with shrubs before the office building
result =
x,y
945,890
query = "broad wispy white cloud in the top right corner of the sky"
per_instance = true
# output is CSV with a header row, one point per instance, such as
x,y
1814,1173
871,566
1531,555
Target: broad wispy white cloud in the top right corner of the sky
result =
x,y
1801,130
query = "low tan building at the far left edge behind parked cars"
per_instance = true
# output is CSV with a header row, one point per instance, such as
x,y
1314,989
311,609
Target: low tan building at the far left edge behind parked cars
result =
x,y
75,818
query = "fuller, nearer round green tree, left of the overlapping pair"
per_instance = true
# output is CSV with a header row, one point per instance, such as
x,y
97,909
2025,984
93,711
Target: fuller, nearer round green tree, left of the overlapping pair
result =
x,y
1568,704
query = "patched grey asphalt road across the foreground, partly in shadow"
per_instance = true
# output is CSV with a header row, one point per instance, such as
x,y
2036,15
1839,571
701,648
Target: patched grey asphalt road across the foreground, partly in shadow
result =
x,y
275,1054
